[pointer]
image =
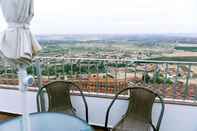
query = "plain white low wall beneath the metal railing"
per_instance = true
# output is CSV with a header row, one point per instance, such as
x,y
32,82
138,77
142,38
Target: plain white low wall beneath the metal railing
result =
x,y
176,117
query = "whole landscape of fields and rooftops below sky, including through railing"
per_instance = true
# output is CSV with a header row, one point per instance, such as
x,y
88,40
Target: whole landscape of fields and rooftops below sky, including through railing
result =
x,y
108,63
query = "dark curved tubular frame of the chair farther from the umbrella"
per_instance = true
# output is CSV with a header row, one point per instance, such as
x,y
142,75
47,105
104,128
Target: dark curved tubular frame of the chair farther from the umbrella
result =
x,y
138,87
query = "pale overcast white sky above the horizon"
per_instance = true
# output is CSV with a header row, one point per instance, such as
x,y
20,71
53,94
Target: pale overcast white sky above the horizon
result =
x,y
113,17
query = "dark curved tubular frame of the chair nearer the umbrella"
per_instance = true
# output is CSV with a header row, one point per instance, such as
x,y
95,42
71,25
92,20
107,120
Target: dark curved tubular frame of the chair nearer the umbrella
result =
x,y
38,97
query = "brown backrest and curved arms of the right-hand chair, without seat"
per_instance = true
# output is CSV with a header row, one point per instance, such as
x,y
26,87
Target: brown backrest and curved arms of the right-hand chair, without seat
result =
x,y
140,105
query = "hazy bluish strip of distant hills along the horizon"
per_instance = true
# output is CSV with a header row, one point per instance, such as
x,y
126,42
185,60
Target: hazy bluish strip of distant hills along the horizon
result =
x,y
143,39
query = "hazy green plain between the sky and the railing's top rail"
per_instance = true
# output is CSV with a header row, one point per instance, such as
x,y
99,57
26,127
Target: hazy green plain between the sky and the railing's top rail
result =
x,y
154,47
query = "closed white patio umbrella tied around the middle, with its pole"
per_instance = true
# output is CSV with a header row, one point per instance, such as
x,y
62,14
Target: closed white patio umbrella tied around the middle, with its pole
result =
x,y
17,44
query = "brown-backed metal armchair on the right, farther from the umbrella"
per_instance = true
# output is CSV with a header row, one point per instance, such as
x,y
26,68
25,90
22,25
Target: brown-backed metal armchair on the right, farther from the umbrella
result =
x,y
139,113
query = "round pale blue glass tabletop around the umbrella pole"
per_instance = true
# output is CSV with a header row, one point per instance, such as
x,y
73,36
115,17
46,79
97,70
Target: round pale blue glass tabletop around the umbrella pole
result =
x,y
48,122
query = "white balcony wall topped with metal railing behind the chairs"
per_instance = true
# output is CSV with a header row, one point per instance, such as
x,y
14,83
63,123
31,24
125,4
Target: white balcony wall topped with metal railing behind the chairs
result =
x,y
100,79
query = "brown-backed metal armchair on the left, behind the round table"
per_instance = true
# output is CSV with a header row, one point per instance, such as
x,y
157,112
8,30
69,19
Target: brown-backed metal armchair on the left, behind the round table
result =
x,y
59,100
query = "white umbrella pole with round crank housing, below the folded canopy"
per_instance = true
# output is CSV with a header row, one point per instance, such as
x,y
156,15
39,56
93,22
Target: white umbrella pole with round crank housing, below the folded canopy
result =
x,y
24,81
